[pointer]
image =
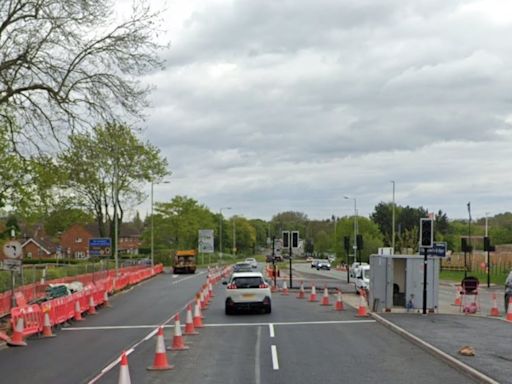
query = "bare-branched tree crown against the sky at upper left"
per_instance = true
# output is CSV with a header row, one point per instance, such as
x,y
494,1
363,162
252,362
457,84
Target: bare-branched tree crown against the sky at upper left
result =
x,y
71,64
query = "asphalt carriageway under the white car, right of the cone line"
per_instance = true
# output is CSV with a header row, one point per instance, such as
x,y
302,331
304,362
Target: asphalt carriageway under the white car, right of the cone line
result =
x,y
299,342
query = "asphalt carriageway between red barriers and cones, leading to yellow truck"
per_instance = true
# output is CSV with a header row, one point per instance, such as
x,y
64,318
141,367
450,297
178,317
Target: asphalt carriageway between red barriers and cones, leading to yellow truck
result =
x,y
77,356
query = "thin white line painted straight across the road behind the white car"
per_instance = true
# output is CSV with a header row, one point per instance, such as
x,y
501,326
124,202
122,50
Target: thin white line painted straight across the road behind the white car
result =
x,y
270,325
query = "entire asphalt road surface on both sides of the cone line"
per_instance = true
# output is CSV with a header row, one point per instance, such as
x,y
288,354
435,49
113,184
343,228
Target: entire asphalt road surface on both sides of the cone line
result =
x,y
299,342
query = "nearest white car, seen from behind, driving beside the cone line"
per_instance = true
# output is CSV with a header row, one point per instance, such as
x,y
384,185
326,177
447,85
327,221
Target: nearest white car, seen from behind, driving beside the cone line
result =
x,y
247,290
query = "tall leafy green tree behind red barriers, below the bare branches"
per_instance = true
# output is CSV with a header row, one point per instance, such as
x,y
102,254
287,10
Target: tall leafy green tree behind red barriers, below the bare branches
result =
x,y
108,167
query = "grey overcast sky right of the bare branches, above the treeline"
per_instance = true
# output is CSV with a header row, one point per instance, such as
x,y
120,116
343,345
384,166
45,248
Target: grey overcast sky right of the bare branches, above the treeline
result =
x,y
270,106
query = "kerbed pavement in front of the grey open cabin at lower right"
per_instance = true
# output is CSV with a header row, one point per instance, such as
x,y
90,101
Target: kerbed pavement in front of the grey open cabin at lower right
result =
x,y
448,330
